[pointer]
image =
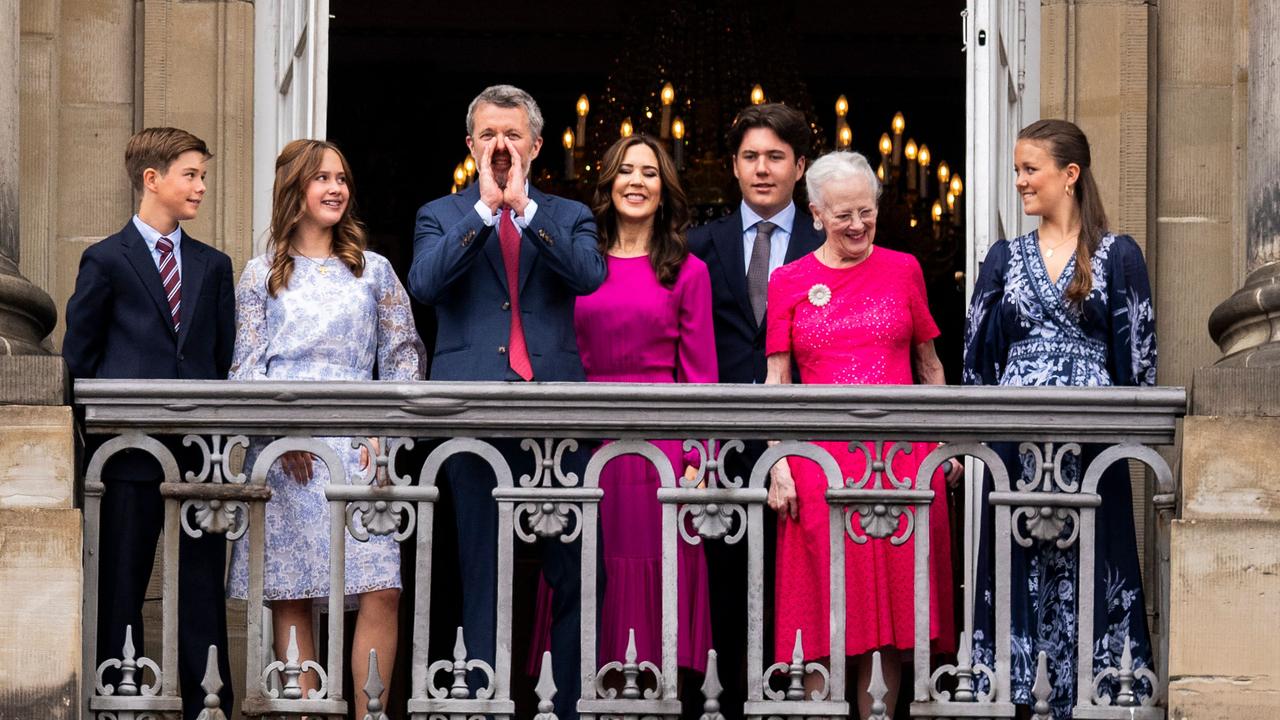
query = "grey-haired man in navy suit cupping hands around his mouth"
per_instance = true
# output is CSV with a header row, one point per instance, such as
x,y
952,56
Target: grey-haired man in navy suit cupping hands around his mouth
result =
x,y
502,265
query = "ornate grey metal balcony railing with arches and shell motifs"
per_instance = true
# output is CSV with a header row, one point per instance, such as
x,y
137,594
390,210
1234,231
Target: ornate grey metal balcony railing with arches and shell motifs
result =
x,y
217,417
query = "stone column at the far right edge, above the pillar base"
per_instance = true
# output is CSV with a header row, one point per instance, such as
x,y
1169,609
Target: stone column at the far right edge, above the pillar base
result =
x,y
1247,326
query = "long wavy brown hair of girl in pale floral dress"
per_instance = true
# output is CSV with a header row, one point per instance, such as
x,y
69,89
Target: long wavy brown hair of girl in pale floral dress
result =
x,y
295,168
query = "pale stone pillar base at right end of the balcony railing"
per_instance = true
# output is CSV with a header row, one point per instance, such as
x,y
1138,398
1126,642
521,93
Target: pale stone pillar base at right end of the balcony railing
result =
x,y
1226,567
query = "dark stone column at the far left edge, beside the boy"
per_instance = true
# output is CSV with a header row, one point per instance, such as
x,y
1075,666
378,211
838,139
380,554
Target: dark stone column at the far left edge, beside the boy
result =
x,y
28,315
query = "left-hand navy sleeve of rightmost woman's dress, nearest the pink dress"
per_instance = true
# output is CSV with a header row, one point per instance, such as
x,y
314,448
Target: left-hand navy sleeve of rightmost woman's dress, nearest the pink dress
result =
x,y
985,349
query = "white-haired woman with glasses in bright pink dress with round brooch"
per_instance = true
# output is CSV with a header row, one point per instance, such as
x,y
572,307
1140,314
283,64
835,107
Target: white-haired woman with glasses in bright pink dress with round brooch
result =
x,y
852,313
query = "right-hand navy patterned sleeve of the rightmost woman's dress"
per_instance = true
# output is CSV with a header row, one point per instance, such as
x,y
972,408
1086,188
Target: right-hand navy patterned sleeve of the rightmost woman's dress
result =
x,y
1133,321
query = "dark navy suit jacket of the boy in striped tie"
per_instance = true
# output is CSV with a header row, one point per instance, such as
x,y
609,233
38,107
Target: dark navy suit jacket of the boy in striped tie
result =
x,y
118,323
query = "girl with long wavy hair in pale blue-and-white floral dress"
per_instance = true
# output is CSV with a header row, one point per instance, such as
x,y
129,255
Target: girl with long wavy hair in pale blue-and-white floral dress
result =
x,y
319,307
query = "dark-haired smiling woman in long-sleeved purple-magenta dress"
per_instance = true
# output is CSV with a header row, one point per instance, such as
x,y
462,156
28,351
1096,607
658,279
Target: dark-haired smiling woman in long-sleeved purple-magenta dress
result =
x,y
651,322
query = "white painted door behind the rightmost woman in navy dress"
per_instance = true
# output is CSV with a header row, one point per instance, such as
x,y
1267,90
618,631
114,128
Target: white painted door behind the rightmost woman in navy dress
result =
x,y
1002,97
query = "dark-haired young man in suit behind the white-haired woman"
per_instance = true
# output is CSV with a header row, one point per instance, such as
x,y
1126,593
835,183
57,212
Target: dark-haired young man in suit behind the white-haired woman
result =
x,y
770,144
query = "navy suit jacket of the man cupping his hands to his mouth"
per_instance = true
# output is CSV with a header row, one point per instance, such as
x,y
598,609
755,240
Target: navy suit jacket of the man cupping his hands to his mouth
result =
x,y
459,270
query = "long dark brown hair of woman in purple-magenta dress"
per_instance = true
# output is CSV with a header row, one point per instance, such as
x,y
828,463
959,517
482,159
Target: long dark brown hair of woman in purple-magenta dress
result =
x,y
668,248
